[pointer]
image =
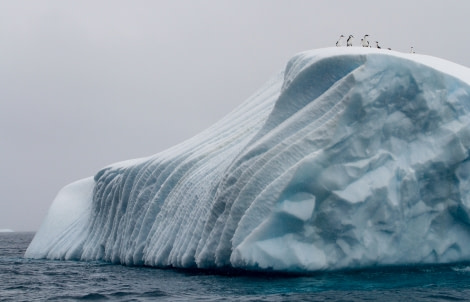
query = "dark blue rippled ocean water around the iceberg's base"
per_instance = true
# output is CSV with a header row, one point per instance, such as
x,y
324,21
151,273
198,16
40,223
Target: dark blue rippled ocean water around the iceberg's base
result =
x,y
44,280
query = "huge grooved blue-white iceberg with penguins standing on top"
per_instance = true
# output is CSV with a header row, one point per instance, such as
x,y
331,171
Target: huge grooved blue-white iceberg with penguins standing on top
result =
x,y
349,158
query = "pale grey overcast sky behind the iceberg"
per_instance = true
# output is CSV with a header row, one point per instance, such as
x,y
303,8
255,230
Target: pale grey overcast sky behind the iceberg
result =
x,y
84,84
